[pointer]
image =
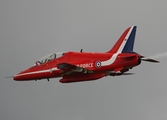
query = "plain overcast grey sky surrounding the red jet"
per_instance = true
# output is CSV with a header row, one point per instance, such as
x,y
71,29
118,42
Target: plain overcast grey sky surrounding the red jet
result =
x,y
30,29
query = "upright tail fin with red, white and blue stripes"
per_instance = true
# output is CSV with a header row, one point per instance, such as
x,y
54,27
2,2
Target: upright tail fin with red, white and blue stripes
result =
x,y
125,42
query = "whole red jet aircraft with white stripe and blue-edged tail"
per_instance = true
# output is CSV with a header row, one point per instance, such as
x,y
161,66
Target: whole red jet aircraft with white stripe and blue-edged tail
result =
x,y
87,66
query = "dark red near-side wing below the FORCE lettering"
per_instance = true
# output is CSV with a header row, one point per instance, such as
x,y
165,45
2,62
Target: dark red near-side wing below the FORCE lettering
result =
x,y
68,68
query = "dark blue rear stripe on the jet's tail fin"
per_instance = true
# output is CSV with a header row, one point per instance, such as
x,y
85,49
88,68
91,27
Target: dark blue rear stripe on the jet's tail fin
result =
x,y
130,42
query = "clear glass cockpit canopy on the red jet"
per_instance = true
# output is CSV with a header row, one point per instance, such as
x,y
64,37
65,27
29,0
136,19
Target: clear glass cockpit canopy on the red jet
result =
x,y
50,57
